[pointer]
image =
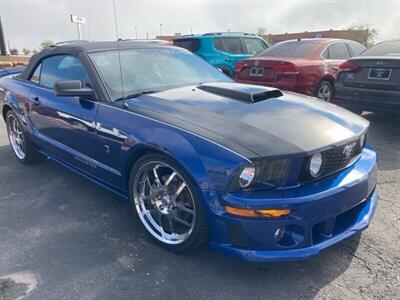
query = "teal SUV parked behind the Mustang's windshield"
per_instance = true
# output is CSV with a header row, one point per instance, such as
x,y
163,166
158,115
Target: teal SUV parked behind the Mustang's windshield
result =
x,y
223,49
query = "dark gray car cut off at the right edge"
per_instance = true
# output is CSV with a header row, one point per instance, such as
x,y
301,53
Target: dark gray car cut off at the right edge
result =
x,y
371,81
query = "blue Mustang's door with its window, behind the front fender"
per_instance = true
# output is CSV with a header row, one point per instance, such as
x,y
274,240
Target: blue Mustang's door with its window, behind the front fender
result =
x,y
63,126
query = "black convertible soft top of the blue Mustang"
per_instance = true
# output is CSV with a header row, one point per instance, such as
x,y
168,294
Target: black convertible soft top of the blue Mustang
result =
x,y
78,47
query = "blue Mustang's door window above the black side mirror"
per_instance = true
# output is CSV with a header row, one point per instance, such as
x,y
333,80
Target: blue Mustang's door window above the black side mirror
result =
x,y
62,67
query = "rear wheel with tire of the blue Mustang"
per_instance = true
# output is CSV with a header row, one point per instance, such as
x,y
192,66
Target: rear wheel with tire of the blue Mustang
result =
x,y
22,147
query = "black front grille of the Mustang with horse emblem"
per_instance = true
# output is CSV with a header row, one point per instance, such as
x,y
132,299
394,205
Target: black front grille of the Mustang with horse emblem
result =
x,y
335,159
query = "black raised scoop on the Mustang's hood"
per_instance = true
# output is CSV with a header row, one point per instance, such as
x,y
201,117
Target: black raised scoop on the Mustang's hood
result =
x,y
242,92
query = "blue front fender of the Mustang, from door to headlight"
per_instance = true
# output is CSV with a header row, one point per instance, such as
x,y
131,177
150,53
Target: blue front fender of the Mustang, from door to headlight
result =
x,y
209,164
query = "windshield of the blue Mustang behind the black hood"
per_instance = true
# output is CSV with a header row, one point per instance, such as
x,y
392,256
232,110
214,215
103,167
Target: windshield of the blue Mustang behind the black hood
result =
x,y
152,69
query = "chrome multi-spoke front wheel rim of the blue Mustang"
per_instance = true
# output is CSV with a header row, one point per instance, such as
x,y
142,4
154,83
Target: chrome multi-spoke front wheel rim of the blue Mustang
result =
x,y
164,202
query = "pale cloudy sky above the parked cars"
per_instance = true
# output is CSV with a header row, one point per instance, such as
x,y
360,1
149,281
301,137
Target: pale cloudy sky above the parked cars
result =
x,y
26,23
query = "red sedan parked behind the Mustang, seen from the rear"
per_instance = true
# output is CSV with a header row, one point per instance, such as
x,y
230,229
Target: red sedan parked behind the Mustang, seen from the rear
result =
x,y
306,66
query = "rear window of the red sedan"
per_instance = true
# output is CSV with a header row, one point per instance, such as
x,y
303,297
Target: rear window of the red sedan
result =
x,y
290,49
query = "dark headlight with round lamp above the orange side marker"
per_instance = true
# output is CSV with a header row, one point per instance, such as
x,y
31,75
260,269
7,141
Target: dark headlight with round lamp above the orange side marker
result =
x,y
260,175
